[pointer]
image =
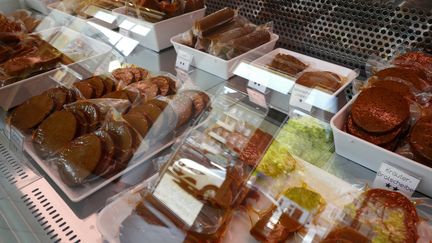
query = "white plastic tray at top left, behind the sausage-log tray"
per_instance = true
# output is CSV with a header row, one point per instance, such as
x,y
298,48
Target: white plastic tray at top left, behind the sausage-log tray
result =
x,y
156,36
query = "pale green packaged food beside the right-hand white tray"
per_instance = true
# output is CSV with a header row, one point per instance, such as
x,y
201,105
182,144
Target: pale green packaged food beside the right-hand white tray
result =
x,y
309,139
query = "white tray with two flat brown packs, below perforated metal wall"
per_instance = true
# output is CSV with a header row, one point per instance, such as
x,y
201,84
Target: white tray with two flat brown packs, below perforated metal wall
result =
x,y
313,64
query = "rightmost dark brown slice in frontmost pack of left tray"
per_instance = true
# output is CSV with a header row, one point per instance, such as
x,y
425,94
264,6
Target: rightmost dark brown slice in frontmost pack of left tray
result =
x,y
123,140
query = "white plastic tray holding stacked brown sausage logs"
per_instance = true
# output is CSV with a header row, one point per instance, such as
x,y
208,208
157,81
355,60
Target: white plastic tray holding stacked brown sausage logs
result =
x,y
218,66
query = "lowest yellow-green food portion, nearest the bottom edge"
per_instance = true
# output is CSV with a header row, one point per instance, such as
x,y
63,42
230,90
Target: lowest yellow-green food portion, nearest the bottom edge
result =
x,y
305,198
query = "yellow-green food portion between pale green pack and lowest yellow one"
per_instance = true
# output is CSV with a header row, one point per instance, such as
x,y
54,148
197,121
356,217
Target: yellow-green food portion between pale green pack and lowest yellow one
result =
x,y
277,161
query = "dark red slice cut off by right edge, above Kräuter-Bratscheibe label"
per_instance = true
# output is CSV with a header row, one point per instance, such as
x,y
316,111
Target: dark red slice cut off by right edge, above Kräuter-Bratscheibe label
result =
x,y
420,140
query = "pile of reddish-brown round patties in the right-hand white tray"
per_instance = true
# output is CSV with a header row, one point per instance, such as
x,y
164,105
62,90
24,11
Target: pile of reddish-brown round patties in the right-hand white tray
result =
x,y
394,110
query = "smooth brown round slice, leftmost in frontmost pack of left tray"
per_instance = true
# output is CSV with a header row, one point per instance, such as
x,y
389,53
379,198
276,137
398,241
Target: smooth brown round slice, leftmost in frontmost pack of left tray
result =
x,y
55,132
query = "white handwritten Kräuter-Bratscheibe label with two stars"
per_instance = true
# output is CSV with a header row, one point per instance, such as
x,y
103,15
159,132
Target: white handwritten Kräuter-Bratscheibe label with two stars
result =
x,y
394,179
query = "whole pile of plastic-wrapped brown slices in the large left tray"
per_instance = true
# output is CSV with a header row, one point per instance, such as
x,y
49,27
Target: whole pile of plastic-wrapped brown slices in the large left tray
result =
x,y
93,129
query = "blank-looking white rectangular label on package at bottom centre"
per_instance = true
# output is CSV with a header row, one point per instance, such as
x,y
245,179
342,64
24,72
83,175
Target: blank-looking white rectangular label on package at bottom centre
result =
x,y
179,201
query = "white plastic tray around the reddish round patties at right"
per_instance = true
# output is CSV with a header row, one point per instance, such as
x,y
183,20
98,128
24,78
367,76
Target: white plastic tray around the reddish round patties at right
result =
x,y
371,156
